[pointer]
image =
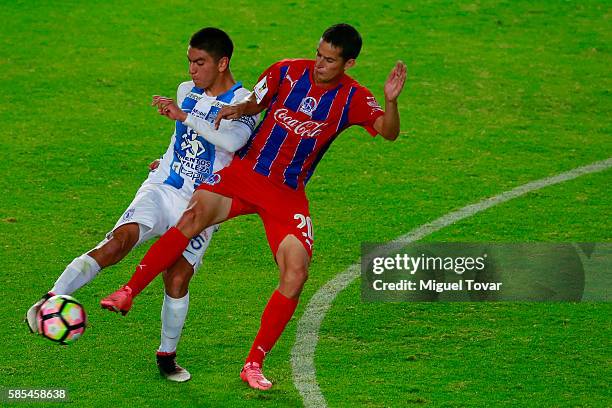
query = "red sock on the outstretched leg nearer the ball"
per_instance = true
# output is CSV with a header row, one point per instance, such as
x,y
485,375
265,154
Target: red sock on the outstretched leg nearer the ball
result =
x,y
162,255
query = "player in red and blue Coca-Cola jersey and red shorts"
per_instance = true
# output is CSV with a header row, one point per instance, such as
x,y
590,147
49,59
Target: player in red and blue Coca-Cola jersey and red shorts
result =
x,y
309,103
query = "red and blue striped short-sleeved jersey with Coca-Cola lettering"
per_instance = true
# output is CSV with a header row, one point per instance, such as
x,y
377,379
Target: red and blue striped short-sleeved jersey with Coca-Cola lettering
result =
x,y
302,120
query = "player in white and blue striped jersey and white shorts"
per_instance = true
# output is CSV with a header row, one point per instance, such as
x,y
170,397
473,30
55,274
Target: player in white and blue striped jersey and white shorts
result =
x,y
195,151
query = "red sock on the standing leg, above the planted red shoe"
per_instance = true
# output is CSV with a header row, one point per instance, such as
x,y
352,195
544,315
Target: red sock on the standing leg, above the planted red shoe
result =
x,y
275,317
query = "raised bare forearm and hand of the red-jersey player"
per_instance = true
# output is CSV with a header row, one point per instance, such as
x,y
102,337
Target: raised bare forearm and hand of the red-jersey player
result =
x,y
388,124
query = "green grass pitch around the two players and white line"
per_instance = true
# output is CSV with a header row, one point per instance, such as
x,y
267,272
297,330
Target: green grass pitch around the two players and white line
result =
x,y
499,94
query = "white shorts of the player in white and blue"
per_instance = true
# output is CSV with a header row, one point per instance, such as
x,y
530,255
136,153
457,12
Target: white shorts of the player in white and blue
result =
x,y
156,208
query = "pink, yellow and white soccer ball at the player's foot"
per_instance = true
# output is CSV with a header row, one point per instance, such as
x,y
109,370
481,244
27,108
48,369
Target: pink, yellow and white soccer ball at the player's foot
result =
x,y
62,319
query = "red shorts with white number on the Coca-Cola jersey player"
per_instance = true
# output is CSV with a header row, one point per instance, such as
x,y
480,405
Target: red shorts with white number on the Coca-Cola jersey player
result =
x,y
283,211
